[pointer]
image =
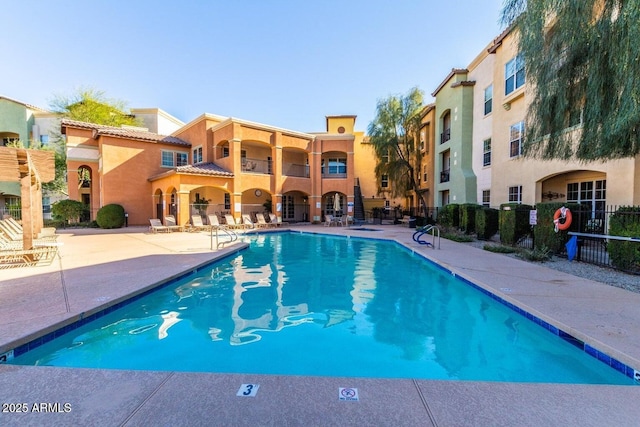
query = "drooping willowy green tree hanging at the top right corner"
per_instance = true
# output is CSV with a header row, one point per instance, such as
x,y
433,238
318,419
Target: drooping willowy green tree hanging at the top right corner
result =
x,y
581,56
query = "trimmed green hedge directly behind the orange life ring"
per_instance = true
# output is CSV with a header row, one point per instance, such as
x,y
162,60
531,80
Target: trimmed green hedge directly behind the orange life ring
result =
x,y
544,233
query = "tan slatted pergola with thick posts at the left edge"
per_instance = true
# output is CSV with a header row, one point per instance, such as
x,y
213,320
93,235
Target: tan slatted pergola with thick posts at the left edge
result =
x,y
30,168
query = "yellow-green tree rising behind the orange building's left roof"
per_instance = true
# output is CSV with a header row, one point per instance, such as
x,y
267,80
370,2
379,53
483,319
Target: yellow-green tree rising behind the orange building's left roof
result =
x,y
86,105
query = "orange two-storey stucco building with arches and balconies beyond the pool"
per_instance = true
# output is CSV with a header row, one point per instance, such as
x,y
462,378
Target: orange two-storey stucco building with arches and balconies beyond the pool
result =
x,y
217,164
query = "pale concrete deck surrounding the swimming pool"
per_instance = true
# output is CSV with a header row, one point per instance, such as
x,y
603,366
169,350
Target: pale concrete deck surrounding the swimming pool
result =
x,y
102,267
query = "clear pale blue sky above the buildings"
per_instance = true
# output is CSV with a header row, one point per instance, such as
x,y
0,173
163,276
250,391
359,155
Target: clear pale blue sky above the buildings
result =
x,y
286,63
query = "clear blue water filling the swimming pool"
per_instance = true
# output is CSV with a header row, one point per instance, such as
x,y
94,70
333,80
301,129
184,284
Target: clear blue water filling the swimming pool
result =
x,y
297,304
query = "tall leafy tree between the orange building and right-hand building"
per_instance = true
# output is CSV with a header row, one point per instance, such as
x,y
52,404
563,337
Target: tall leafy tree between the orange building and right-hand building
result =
x,y
393,133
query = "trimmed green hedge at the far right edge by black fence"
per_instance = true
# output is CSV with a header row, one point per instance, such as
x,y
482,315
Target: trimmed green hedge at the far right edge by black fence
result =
x,y
625,222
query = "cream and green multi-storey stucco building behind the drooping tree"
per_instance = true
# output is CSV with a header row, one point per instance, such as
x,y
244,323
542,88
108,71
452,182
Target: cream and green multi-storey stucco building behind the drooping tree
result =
x,y
480,114
